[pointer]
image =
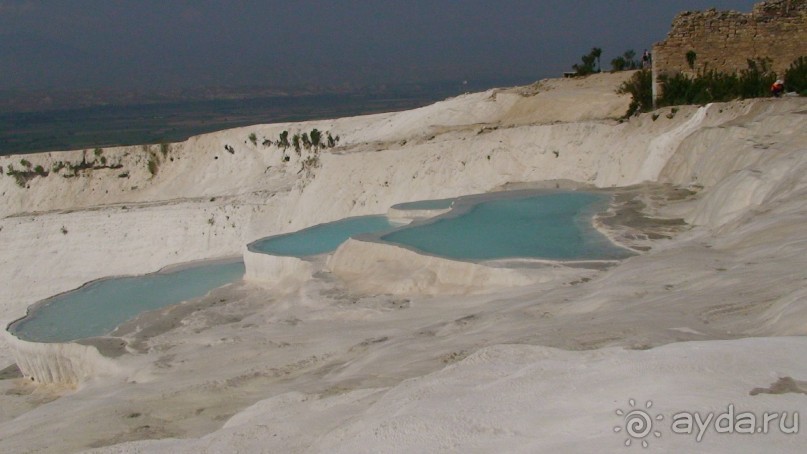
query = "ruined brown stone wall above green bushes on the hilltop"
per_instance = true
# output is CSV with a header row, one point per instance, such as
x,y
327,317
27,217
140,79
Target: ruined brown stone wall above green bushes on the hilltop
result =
x,y
725,40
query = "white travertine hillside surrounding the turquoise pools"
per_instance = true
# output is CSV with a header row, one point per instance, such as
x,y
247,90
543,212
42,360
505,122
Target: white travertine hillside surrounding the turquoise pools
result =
x,y
735,274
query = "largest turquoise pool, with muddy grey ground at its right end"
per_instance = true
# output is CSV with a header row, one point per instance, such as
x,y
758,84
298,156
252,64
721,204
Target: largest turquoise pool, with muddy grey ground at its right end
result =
x,y
553,226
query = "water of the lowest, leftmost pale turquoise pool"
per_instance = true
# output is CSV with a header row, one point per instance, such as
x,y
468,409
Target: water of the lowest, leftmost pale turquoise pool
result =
x,y
99,307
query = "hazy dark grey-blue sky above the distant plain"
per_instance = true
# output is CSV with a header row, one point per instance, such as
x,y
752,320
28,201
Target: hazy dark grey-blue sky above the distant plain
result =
x,y
191,43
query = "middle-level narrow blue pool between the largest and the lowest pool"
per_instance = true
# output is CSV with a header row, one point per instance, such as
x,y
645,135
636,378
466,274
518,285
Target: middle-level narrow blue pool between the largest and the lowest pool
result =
x,y
321,238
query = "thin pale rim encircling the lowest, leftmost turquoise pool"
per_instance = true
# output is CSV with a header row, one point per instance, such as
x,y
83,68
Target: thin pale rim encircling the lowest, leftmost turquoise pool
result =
x,y
167,269
